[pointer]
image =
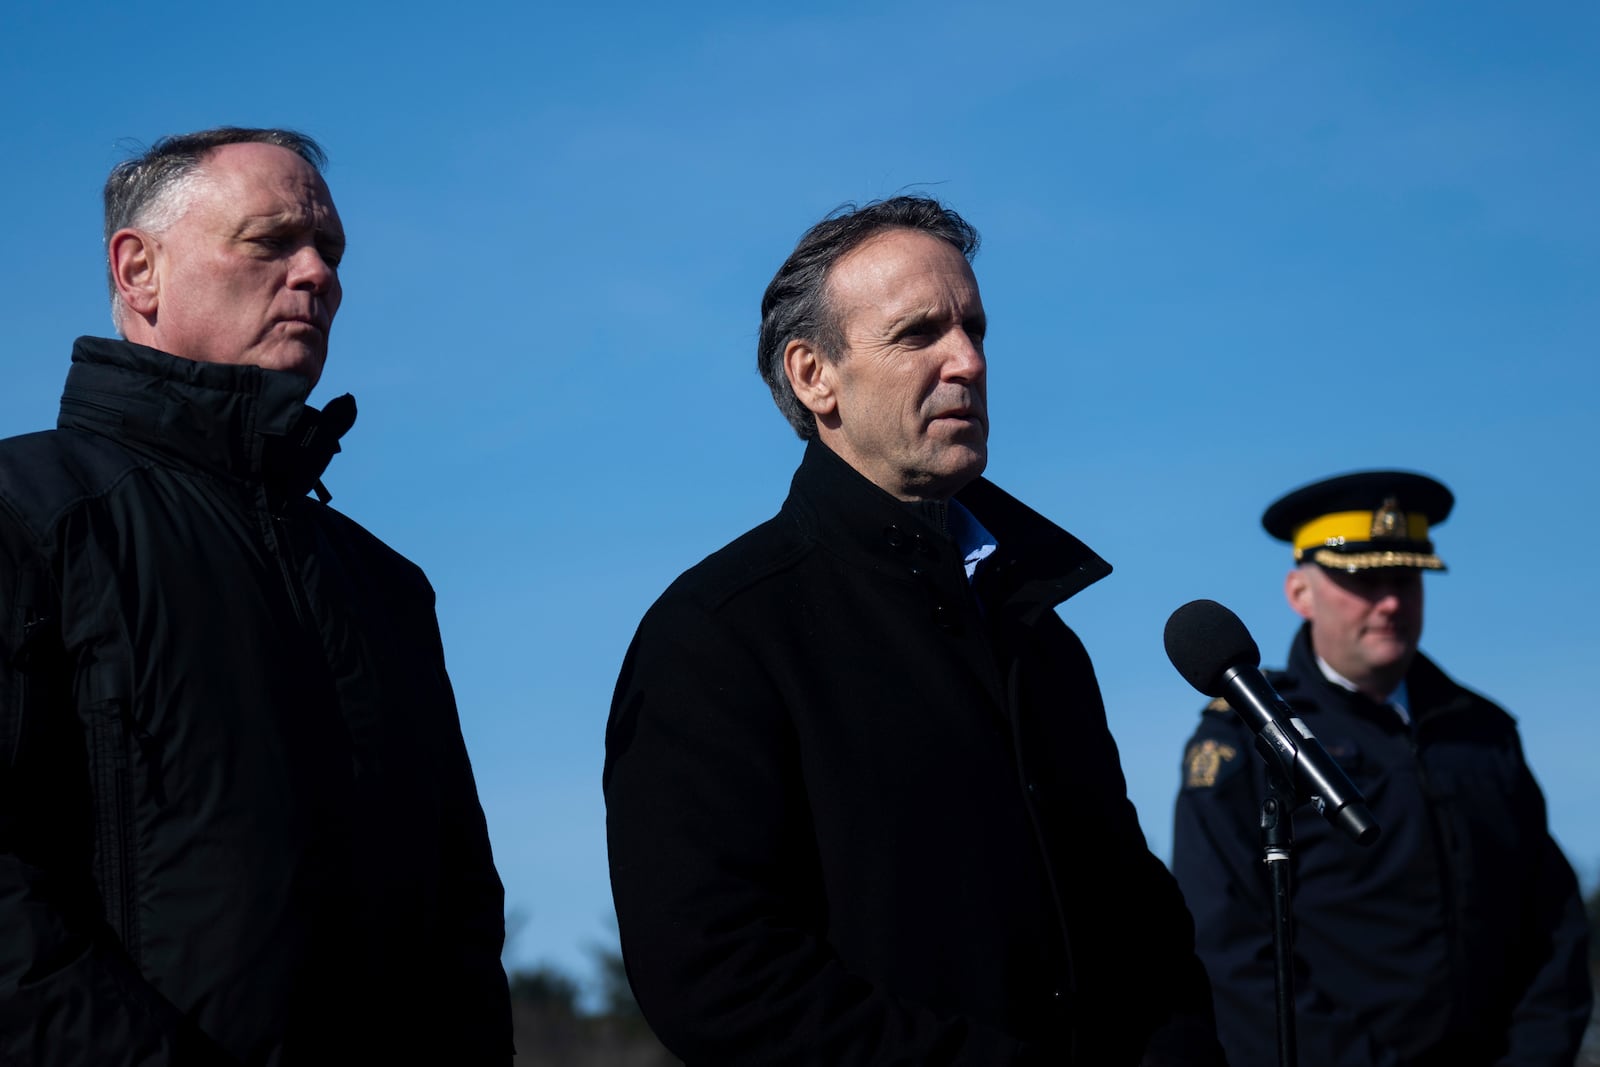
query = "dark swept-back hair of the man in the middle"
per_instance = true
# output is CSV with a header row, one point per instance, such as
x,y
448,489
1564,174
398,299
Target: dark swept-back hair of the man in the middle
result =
x,y
796,303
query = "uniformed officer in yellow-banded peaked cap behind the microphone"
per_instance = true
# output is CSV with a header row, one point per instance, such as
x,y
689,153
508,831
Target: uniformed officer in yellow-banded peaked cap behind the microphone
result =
x,y
1457,938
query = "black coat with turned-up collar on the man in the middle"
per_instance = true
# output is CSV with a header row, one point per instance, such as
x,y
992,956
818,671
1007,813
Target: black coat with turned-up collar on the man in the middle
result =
x,y
857,818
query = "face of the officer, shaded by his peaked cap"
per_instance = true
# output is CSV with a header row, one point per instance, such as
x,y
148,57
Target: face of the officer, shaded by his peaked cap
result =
x,y
1366,625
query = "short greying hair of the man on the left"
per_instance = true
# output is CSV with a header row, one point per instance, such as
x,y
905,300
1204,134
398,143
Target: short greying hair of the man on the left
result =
x,y
153,191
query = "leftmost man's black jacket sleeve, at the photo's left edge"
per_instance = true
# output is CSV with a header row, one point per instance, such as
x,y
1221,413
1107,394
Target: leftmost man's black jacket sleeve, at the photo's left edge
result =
x,y
70,996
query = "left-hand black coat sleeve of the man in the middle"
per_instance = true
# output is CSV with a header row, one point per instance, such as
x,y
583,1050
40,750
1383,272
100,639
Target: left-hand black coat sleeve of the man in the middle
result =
x,y
716,876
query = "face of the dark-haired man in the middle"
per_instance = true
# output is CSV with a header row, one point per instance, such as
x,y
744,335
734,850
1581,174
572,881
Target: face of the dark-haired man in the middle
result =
x,y
906,402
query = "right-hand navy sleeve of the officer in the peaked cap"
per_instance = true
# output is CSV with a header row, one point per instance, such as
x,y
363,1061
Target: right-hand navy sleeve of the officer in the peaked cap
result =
x,y
1554,1002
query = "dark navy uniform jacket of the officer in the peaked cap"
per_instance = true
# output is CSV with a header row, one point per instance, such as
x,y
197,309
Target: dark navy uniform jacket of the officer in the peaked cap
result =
x,y
1458,938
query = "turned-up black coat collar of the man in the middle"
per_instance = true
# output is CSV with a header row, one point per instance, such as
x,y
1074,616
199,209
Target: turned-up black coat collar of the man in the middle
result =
x,y
1036,567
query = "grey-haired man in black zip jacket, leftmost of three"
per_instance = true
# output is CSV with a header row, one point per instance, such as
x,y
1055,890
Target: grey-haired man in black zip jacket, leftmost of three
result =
x,y
238,823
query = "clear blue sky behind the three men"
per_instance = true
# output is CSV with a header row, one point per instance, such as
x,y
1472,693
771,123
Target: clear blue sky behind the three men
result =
x,y
1228,249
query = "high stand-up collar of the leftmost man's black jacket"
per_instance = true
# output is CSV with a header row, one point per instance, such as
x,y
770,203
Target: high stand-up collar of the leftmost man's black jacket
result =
x,y
241,422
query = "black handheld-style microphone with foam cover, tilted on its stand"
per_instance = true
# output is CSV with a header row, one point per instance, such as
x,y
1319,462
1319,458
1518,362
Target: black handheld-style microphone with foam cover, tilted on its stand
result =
x,y
1215,653
